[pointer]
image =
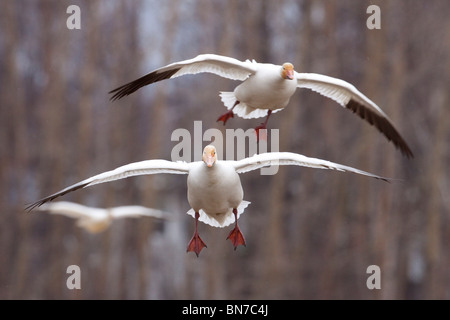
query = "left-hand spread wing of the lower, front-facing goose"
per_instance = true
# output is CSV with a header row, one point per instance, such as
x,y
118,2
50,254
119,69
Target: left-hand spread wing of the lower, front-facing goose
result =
x,y
129,170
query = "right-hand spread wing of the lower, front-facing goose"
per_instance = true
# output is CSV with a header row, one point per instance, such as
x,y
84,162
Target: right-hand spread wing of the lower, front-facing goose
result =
x,y
287,158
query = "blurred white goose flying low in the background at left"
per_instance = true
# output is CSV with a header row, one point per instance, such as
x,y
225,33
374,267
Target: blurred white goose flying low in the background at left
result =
x,y
96,220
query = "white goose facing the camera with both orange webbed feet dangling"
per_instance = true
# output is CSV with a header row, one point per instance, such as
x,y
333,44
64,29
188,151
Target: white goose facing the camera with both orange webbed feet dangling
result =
x,y
214,188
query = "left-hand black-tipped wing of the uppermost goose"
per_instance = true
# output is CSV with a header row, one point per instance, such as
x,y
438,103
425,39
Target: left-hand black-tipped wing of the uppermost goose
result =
x,y
223,66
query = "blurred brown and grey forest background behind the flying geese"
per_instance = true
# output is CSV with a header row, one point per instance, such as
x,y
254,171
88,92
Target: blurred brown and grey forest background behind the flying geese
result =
x,y
311,234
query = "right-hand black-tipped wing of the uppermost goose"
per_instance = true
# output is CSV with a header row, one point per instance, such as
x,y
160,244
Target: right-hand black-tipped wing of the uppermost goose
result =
x,y
349,97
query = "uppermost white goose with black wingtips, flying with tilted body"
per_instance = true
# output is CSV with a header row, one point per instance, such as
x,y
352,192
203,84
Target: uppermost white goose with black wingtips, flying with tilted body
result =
x,y
267,88
